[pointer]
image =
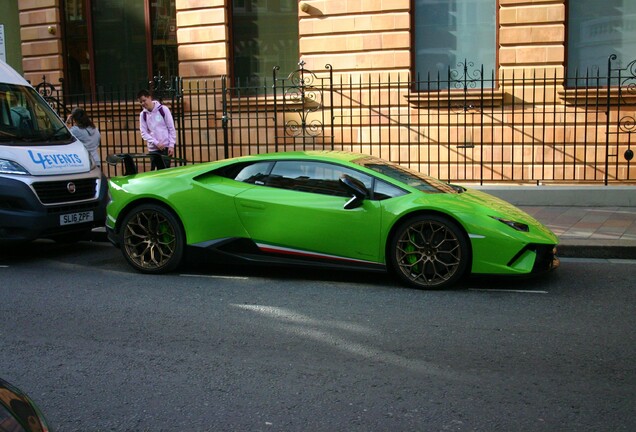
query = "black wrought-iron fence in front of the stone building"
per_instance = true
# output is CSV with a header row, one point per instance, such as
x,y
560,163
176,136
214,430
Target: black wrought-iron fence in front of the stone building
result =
x,y
464,126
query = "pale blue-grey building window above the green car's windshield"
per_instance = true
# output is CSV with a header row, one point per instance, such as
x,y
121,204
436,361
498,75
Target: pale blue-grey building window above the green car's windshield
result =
x,y
451,34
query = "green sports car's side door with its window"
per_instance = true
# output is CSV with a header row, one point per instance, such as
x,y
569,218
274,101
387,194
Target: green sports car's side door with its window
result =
x,y
299,209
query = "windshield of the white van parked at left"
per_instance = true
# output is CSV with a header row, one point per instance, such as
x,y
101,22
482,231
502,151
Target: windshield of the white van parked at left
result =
x,y
26,119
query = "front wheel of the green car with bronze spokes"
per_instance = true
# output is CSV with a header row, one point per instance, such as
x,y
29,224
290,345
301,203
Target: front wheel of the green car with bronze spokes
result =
x,y
429,251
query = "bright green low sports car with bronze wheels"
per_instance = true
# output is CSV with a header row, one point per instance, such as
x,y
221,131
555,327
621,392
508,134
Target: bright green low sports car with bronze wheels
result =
x,y
324,208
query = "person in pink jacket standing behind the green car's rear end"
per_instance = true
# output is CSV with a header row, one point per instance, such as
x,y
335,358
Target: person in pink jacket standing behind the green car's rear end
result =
x,y
157,129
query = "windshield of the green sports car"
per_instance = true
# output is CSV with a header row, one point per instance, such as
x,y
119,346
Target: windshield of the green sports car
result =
x,y
407,176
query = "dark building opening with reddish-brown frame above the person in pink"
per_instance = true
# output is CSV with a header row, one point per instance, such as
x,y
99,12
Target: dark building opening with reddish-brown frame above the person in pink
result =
x,y
112,44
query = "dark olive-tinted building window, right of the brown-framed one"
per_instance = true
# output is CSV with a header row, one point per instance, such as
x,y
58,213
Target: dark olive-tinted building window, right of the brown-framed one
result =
x,y
264,35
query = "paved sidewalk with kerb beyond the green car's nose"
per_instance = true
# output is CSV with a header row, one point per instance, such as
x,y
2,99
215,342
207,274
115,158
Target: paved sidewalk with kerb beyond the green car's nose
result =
x,y
590,221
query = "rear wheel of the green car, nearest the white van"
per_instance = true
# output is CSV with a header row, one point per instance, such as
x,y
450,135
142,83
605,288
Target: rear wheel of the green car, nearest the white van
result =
x,y
152,239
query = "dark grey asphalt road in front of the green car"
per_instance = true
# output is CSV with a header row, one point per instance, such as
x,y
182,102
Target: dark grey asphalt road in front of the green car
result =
x,y
102,348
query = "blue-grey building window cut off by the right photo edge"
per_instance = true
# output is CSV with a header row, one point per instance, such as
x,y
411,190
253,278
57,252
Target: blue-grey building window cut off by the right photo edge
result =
x,y
596,30
